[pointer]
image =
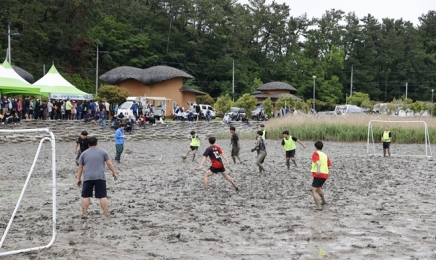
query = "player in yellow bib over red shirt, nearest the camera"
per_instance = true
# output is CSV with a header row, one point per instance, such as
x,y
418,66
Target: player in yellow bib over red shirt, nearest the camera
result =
x,y
320,172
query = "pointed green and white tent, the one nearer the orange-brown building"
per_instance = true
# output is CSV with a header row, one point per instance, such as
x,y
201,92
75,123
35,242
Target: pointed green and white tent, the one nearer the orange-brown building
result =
x,y
54,86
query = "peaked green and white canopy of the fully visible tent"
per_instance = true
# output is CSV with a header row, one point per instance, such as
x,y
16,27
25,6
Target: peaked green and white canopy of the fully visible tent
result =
x,y
53,82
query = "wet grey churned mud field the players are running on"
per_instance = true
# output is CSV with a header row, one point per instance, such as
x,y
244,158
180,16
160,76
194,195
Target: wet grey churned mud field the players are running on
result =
x,y
377,208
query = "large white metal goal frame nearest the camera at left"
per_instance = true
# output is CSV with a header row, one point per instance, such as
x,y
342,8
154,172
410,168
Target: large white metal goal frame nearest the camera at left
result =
x,y
53,169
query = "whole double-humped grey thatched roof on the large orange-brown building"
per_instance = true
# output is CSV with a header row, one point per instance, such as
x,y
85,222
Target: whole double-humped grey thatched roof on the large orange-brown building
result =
x,y
147,76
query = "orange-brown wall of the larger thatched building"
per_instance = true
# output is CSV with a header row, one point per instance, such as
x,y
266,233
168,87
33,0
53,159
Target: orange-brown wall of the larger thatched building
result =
x,y
169,89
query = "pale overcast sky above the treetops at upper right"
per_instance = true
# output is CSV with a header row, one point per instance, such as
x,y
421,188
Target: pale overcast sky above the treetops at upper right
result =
x,y
408,10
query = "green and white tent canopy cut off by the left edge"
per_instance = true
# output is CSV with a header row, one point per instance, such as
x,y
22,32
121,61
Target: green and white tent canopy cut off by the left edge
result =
x,y
12,83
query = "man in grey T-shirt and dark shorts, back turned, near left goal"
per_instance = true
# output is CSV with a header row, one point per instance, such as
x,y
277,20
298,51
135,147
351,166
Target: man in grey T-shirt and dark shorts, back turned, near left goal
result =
x,y
92,165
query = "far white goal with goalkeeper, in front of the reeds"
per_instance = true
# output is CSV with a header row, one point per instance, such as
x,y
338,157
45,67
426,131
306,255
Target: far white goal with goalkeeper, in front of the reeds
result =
x,y
427,145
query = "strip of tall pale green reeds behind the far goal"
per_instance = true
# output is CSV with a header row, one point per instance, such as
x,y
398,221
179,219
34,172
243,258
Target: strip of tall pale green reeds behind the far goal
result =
x,y
345,128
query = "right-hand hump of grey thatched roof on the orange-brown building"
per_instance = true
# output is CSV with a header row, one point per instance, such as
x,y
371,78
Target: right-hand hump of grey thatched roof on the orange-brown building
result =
x,y
161,73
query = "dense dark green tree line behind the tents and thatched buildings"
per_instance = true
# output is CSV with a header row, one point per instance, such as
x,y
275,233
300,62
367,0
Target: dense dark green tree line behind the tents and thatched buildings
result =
x,y
212,39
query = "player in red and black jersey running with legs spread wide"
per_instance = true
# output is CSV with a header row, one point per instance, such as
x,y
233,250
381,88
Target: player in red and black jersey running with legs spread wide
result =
x,y
215,153
